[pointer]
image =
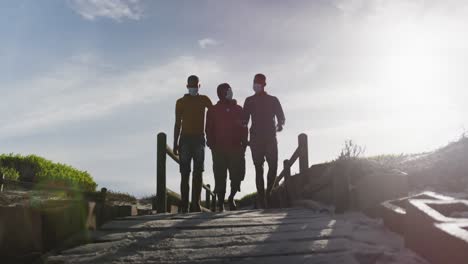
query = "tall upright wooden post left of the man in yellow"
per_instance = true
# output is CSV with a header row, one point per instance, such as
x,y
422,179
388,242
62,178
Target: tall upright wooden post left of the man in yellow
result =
x,y
161,191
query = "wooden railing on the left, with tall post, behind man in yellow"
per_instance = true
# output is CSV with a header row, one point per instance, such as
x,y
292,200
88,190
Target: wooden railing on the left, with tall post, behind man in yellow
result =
x,y
163,150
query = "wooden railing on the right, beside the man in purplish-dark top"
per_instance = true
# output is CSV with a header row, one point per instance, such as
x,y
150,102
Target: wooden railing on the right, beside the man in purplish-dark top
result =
x,y
302,154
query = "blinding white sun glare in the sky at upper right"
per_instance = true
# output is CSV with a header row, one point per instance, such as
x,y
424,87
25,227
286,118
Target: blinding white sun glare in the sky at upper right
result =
x,y
412,77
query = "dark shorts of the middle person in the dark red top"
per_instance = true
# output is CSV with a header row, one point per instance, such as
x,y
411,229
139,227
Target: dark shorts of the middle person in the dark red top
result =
x,y
234,162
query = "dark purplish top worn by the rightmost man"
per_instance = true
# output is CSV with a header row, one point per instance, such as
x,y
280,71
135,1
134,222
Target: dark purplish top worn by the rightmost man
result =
x,y
263,108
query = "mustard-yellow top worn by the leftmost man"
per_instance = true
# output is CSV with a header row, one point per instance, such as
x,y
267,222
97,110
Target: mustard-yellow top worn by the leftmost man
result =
x,y
190,114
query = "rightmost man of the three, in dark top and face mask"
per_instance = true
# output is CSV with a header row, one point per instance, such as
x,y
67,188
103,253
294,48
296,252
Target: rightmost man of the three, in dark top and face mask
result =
x,y
263,109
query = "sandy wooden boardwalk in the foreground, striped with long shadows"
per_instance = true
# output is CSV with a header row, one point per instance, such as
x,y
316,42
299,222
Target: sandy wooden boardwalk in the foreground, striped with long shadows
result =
x,y
253,236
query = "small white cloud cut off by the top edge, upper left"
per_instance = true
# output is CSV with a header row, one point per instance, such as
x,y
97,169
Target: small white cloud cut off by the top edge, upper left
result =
x,y
113,9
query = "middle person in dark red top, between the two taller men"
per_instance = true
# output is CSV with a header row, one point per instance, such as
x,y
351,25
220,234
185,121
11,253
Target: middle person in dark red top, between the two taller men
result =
x,y
227,137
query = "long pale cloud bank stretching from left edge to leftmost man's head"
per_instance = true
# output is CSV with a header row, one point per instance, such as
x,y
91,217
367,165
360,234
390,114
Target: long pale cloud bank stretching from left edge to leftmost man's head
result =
x,y
81,89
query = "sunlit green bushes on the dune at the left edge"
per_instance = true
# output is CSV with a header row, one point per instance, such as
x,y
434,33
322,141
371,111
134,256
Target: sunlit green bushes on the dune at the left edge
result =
x,y
36,169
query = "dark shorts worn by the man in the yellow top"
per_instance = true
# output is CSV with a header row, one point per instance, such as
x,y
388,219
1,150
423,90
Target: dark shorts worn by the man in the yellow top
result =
x,y
192,148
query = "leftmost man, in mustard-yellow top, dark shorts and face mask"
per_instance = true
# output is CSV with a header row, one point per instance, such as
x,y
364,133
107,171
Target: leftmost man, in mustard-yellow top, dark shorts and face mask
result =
x,y
189,141
